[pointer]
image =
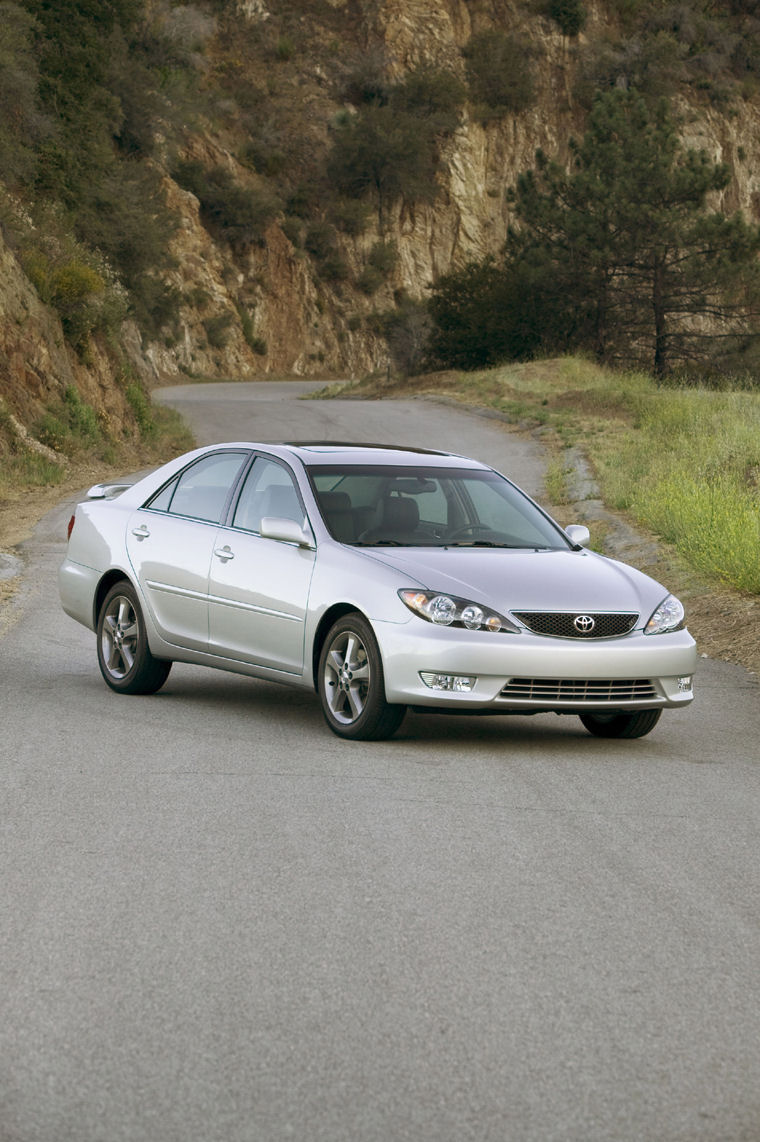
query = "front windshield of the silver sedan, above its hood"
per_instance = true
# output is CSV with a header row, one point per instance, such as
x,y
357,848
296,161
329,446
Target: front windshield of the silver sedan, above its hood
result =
x,y
429,508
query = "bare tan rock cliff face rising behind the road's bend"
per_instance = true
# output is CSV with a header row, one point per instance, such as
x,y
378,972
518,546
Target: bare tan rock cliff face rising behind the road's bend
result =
x,y
303,326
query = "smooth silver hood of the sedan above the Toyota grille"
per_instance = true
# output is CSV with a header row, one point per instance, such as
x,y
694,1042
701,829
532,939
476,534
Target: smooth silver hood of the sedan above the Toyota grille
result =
x,y
530,581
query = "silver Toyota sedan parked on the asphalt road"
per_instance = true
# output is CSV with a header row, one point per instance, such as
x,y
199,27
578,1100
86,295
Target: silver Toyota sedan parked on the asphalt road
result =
x,y
383,578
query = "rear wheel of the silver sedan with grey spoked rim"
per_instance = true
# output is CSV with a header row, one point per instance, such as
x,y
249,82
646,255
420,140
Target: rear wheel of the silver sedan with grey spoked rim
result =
x,y
123,653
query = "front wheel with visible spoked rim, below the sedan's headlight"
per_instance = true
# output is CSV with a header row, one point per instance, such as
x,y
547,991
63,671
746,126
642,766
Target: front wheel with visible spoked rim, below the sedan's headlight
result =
x,y
351,683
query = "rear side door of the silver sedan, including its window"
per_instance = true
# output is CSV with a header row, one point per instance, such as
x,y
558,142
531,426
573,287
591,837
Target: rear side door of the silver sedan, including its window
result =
x,y
171,543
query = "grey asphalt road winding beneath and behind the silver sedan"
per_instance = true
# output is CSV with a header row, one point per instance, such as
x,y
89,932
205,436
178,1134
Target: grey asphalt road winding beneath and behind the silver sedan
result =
x,y
222,924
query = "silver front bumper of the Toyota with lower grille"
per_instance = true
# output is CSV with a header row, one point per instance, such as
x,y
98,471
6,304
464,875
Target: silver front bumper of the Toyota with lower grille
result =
x,y
533,673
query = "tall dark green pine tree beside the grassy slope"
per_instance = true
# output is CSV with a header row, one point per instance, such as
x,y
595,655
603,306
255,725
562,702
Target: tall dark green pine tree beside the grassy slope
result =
x,y
626,254
